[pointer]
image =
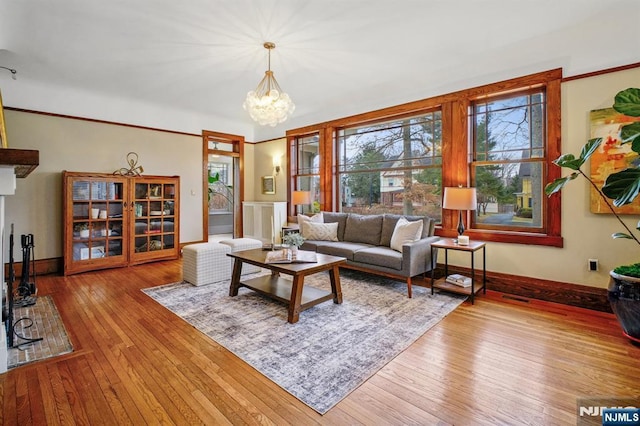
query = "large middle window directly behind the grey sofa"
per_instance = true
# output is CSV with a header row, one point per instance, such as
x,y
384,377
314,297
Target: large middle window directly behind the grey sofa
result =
x,y
391,167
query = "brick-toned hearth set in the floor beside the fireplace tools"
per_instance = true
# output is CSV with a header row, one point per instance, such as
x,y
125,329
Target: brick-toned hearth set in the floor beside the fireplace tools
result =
x,y
39,320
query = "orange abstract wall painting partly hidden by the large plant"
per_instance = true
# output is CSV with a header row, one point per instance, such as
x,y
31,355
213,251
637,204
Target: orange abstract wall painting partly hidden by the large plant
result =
x,y
611,156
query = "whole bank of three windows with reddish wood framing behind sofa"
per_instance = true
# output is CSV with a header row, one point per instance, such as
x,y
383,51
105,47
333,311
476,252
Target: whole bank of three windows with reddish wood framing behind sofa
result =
x,y
500,138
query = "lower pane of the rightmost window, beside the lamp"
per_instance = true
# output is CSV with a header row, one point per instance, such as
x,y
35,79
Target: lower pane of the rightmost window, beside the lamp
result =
x,y
510,195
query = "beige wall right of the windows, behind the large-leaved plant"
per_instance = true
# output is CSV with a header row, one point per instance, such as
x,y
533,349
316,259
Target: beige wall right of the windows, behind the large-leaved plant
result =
x,y
586,235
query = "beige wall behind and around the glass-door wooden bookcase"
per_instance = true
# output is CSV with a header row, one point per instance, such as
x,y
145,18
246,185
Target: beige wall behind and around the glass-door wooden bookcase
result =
x,y
85,146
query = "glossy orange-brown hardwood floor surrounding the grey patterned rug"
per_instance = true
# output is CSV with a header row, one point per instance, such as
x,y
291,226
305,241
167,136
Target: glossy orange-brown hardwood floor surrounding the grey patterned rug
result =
x,y
500,361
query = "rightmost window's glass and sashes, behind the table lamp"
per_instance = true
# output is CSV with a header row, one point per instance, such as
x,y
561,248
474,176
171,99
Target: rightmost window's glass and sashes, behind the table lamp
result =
x,y
508,167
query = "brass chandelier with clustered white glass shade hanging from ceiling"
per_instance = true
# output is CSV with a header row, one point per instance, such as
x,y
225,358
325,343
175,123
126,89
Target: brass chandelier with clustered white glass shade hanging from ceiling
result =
x,y
268,104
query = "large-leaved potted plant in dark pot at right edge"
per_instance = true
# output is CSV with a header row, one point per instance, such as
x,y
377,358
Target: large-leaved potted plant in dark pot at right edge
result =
x,y
623,188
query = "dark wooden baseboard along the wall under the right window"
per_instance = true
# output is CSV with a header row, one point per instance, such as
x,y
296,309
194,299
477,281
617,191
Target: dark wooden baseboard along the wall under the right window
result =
x,y
551,291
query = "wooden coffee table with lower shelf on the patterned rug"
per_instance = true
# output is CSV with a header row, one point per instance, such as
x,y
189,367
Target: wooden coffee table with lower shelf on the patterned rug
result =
x,y
294,294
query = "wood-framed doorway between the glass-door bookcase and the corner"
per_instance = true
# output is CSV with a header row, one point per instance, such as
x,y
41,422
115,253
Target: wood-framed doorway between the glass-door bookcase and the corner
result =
x,y
222,185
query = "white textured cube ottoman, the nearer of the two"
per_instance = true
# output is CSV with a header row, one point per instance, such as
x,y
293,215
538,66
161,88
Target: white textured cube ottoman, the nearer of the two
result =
x,y
206,263
